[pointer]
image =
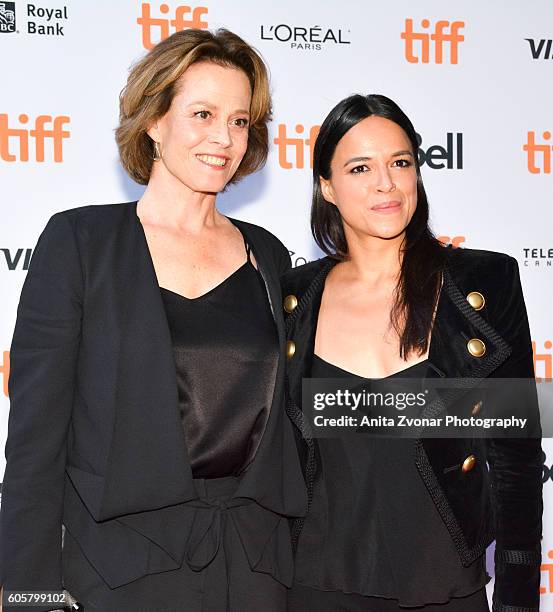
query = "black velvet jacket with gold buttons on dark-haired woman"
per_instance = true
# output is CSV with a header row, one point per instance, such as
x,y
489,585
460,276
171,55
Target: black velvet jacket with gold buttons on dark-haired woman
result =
x,y
477,506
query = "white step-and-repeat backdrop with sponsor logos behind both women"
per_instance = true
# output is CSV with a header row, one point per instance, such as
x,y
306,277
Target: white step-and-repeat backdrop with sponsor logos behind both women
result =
x,y
475,78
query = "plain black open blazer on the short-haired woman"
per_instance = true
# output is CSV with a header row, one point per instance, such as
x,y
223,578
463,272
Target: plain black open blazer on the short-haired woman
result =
x,y
95,439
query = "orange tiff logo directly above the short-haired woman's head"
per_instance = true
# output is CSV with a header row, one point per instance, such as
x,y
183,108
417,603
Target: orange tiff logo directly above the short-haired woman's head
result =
x,y
185,17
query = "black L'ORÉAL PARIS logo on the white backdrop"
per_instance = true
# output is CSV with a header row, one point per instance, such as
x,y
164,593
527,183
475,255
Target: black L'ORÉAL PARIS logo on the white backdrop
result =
x,y
300,38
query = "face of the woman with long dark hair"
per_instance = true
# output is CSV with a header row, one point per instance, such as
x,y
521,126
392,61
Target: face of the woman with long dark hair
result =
x,y
373,179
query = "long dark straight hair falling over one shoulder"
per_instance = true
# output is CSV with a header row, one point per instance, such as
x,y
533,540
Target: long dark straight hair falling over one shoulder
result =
x,y
423,255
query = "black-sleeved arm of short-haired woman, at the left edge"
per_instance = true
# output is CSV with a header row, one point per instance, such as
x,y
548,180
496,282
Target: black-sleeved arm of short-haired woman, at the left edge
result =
x,y
42,379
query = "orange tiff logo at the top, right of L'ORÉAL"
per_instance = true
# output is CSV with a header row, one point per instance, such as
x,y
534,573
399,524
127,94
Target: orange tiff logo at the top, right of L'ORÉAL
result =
x,y
444,32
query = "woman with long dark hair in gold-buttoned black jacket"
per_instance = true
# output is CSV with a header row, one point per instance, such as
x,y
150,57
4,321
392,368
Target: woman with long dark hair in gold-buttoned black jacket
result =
x,y
397,523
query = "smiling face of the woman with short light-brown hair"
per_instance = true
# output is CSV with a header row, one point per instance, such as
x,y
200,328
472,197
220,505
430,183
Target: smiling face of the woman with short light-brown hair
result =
x,y
204,134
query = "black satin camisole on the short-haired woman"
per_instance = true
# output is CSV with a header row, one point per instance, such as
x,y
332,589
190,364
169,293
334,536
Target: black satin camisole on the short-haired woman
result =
x,y
225,346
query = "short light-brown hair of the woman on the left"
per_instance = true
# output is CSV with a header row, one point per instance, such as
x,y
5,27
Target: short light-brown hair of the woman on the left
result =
x,y
151,87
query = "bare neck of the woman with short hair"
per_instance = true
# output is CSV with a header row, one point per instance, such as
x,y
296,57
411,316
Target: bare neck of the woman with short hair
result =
x,y
167,202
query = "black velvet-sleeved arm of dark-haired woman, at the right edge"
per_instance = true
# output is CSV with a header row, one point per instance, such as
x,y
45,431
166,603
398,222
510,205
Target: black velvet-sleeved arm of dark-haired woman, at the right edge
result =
x,y
516,473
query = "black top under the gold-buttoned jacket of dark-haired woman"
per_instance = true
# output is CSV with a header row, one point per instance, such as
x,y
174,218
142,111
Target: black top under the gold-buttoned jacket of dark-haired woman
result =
x,y
373,529
